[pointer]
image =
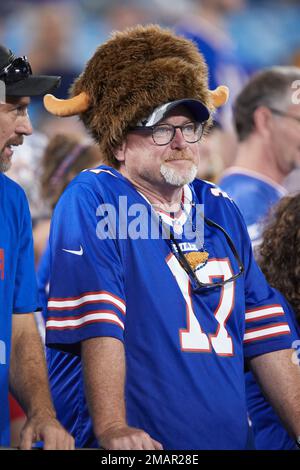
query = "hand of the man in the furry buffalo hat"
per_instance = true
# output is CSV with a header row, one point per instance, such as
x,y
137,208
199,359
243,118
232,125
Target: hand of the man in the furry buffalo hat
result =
x,y
127,438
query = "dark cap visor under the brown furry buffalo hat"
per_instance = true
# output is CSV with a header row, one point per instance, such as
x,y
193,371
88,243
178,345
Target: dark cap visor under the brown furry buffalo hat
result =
x,y
200,112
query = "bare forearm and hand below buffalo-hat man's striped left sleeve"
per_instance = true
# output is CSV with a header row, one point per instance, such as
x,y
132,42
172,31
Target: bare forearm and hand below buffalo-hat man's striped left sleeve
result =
x,y
104,374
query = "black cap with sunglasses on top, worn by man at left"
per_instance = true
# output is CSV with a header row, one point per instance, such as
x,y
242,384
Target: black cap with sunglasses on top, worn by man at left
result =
x,y
17,75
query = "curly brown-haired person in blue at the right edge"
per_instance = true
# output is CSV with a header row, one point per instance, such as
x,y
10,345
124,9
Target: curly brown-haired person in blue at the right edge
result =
x,y
279,258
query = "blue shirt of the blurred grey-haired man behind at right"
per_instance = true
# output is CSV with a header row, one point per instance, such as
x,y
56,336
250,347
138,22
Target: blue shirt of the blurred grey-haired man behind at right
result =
x,y
254,195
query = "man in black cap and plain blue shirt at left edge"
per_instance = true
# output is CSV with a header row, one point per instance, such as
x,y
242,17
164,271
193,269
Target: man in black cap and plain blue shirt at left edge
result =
x,y
22,364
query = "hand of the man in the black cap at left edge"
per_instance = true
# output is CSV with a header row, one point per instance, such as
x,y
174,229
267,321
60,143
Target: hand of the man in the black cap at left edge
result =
x,y
48,430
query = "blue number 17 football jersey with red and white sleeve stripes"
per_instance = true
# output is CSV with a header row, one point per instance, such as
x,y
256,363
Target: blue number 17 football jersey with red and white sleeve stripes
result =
x,y
185,350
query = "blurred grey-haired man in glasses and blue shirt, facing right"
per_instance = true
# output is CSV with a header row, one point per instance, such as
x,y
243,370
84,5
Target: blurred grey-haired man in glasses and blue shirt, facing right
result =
x,y
267,121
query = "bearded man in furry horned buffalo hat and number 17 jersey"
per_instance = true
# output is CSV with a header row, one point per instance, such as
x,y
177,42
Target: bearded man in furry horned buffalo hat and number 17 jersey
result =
x,y
154,290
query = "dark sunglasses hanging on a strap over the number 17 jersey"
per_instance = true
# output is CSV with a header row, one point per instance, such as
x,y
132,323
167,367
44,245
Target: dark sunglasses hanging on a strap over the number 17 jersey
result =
x,y
195,283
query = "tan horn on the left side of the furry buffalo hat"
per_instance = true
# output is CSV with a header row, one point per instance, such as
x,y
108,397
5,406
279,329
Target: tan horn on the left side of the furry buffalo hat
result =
x,y
76,105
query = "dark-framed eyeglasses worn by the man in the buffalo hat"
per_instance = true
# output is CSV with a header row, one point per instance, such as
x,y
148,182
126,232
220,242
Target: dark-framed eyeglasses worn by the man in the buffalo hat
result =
x,y
163,134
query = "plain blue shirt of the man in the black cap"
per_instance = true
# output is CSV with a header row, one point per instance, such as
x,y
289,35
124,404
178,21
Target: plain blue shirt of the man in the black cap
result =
x,y
18,292
